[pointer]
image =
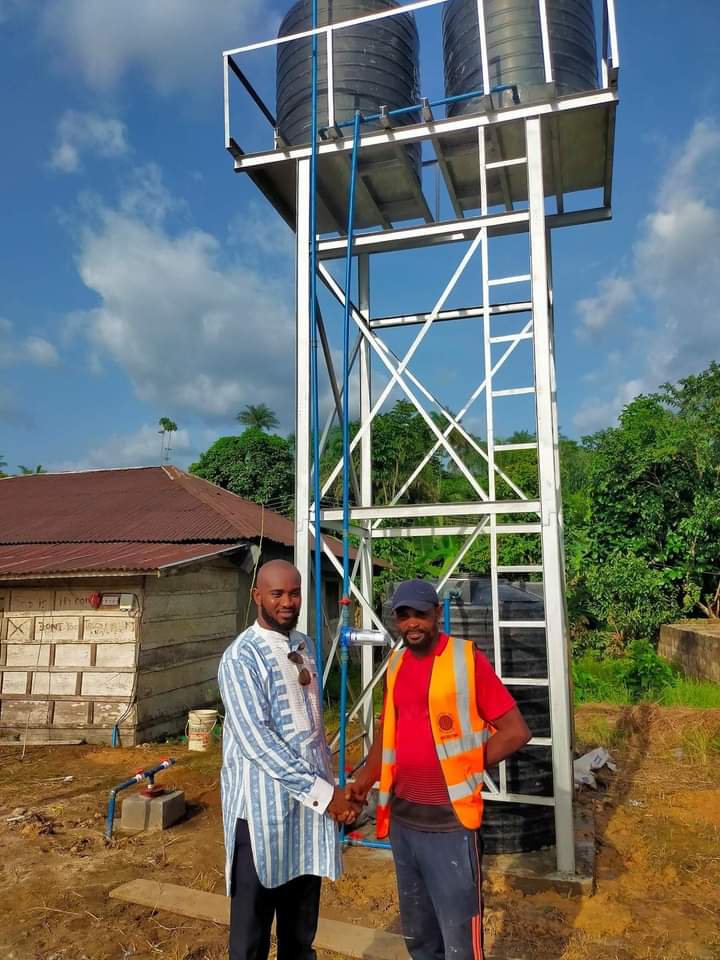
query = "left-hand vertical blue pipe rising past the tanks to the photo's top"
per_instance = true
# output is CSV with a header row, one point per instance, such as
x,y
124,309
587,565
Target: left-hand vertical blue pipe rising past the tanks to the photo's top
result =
x,y
314,401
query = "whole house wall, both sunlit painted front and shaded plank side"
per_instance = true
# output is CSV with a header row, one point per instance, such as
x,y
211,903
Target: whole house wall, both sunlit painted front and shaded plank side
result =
x,y
69,672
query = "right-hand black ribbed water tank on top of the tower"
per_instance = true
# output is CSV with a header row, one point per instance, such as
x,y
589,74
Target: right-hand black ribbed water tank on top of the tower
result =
x,y
515,48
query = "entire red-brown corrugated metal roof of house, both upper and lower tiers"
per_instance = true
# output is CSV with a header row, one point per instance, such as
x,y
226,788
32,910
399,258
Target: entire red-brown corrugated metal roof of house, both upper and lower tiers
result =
x,y
121,520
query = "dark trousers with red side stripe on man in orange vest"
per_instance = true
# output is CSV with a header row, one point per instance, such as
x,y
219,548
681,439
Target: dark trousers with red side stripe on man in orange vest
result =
x,y
439,881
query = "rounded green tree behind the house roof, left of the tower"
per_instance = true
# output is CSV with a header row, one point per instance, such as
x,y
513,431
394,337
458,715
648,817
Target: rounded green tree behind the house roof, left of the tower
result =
x,y
255,465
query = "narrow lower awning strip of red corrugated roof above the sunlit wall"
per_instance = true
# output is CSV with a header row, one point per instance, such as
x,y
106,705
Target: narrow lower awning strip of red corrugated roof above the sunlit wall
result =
x,y
23,560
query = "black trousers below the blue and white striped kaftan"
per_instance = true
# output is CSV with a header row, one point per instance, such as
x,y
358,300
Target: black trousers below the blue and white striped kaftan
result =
x,y
295,906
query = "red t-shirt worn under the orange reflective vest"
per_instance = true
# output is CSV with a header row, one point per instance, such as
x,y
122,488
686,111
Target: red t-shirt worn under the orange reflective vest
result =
x,y
419,777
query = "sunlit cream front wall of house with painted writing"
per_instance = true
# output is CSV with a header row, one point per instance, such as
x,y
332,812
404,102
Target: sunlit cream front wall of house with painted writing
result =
x,y
67,671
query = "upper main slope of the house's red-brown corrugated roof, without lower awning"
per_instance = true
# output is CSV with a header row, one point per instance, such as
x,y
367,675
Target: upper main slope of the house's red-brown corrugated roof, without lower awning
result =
x,y
150,504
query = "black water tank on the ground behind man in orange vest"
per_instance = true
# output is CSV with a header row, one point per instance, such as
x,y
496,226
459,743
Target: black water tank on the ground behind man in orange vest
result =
x,y
511,827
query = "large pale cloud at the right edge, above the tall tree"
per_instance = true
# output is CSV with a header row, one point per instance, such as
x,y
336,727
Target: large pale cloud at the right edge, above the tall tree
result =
x,y
674,279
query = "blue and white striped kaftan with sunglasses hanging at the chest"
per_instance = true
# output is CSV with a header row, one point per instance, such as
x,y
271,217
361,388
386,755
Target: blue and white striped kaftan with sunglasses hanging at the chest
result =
x,y
277,770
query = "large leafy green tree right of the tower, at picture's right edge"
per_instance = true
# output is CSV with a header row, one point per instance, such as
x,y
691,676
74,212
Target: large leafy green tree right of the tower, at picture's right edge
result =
x,y
653,502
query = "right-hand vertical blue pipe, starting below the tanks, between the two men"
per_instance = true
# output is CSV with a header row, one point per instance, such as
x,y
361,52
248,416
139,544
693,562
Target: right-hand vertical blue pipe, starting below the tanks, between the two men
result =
x,y
345,628
